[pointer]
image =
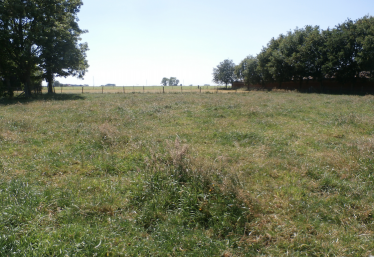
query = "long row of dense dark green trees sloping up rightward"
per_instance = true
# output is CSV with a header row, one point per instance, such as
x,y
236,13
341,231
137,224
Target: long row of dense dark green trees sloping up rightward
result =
x,y
344,53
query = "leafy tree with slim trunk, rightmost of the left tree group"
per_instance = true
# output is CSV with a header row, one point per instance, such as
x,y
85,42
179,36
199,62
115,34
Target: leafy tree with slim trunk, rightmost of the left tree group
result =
x,y
61,54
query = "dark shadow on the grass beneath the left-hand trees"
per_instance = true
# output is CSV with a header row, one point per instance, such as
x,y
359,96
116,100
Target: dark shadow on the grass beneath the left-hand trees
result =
x,y
43,97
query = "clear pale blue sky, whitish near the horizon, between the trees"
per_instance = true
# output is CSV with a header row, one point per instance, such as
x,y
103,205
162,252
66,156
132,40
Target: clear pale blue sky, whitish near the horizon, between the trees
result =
x,y
138,42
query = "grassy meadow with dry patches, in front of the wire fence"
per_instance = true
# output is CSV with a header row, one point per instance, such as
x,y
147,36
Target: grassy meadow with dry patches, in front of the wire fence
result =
x,y
245,174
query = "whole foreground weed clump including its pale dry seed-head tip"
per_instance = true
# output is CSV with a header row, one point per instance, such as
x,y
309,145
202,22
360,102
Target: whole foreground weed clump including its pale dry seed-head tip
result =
x,y
192,199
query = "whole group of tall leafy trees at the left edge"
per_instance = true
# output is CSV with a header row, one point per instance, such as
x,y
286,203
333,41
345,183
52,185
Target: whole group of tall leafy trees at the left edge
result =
x,y
39,39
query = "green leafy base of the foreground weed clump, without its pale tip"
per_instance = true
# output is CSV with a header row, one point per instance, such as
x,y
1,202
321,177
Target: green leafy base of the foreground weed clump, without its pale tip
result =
x,y
195,204
